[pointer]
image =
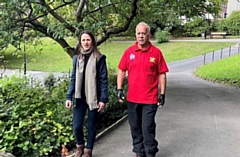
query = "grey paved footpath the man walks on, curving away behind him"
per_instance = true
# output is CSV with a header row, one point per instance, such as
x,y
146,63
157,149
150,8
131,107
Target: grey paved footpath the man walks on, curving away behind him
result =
x,y
199,119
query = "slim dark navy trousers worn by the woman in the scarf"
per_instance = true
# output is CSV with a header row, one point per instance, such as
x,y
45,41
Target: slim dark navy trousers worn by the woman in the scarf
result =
x,y
79,112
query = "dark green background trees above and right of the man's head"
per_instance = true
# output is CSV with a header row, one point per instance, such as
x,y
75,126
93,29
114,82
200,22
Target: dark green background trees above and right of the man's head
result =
x,y
168,13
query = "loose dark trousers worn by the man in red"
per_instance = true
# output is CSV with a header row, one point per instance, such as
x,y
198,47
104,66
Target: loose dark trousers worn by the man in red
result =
x,y
143,128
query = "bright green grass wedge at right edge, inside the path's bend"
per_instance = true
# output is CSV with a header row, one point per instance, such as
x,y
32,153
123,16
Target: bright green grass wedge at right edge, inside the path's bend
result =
x,y
225,71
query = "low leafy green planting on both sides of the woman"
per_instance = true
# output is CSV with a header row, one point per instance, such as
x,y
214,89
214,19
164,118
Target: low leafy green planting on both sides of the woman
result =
x,y
34,120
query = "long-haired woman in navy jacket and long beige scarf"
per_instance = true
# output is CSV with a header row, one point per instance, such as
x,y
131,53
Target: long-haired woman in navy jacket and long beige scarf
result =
x,y
89,85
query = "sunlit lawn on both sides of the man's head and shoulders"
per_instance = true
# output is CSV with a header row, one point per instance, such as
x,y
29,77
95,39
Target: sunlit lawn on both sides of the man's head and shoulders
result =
x,y
172,51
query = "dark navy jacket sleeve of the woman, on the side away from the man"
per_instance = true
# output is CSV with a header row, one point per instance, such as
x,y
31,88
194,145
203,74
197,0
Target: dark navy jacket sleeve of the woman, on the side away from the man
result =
x,y
71,88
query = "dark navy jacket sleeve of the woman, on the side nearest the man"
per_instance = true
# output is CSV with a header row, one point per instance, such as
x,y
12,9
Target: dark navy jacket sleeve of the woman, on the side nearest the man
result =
x,y
103,80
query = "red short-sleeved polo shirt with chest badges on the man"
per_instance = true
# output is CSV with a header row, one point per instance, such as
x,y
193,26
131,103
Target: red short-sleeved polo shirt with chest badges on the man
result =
x,y
143,69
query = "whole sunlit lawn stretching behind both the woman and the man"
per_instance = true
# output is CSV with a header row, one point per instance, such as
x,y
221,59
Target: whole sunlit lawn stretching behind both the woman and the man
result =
x,y
52,58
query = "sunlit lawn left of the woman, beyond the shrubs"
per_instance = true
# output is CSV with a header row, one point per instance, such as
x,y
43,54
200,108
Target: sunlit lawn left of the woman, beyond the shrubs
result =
x,y
51,58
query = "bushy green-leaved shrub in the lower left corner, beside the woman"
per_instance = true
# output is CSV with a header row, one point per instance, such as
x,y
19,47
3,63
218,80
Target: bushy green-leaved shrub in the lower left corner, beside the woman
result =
x,y
30,119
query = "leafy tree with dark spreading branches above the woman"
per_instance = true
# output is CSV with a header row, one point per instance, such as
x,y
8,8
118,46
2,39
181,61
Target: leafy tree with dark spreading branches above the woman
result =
x,y
22,19
